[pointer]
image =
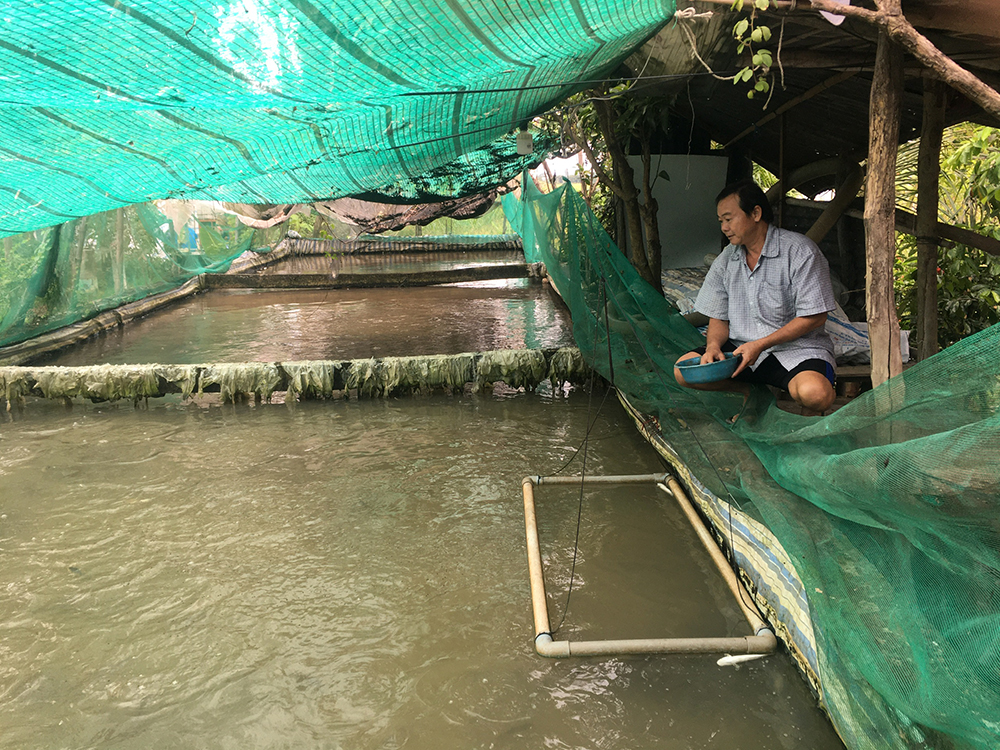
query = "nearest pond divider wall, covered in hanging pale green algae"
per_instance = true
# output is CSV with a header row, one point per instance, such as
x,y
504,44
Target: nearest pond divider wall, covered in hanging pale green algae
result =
x,y
314,379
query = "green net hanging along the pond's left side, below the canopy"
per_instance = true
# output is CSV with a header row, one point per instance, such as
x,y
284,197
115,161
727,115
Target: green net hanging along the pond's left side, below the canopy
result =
x,y
56,276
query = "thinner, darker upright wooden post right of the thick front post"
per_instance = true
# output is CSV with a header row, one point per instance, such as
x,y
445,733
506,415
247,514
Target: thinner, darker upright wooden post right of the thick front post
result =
x,y
928,172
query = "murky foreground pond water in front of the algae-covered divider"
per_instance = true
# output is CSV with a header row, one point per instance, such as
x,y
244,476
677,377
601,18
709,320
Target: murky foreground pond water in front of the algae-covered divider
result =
x,y
353,575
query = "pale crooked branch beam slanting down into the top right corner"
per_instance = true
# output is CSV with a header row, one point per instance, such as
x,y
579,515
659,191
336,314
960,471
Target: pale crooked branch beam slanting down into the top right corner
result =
x,y
890,20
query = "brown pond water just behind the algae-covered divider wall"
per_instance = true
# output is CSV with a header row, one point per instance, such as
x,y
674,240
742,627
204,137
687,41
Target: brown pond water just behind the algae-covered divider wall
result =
x,y
290,325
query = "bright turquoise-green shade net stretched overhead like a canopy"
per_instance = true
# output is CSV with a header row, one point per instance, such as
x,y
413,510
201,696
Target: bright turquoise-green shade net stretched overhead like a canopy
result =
x,y
109,103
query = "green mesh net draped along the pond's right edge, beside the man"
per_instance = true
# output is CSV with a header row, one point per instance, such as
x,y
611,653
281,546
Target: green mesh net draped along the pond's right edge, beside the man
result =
x,y
887,507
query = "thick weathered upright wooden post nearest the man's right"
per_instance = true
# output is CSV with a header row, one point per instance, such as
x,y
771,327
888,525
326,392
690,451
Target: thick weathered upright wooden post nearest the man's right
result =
x,y
880,205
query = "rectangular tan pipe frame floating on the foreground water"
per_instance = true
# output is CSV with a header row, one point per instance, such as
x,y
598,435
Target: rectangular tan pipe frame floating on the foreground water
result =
x,y
763,641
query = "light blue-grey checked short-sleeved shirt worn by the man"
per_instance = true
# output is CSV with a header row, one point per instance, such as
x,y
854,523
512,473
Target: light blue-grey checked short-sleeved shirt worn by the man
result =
x,y
791,280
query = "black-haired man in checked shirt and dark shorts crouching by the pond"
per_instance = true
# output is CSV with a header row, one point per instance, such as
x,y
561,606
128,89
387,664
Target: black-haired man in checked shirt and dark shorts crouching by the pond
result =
x,y
767,296
